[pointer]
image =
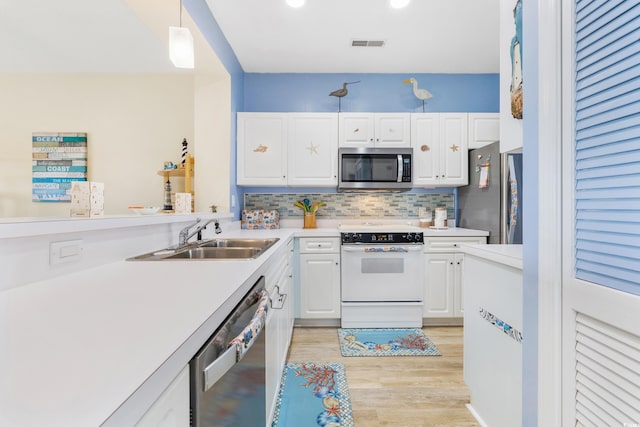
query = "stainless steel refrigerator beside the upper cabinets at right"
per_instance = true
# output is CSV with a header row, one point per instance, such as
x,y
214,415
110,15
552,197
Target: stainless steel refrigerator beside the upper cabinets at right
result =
x,y
493,199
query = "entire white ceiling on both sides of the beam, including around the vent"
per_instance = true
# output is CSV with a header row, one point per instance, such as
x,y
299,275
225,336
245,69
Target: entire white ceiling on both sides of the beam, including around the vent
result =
x,y
429,36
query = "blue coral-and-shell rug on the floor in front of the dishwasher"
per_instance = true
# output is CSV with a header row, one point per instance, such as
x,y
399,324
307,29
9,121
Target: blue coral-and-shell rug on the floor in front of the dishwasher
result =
x,y
313,394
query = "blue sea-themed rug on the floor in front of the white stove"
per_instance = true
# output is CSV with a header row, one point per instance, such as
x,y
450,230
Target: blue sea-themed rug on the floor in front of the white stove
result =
x,y
386,342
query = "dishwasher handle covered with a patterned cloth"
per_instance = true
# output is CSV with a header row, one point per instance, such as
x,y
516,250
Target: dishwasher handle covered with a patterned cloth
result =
x,y
239,346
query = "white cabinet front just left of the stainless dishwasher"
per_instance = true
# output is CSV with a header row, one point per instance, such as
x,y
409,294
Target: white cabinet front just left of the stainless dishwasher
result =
x,y
172,407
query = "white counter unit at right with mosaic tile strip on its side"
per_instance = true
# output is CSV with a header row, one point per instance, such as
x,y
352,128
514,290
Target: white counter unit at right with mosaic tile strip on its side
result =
x,y
493,332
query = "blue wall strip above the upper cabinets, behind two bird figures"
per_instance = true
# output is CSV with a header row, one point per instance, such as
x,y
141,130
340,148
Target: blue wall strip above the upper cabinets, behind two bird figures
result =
x,y
374,93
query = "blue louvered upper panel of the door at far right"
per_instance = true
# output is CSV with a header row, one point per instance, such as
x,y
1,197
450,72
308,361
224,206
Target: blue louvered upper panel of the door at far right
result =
x,y
607,126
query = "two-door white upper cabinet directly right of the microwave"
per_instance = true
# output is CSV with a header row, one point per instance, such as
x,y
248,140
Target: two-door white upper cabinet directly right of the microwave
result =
x,y
440,144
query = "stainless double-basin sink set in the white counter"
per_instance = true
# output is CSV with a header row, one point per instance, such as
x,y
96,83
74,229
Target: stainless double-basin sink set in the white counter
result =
x,y
217,249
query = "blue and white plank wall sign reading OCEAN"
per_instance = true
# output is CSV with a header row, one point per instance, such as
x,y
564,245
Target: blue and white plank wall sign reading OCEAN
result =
x,y
59,159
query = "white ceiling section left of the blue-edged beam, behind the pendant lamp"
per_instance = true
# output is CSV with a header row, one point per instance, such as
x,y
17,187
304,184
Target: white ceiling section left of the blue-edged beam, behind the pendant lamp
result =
x,y
106,36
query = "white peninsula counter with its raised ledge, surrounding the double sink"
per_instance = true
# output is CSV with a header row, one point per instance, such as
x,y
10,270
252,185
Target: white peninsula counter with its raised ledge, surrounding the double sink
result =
x,y
96,345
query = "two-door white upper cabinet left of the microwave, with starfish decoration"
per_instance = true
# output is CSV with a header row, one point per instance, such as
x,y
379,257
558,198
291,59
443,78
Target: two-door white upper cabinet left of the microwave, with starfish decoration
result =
x,y
280,149
